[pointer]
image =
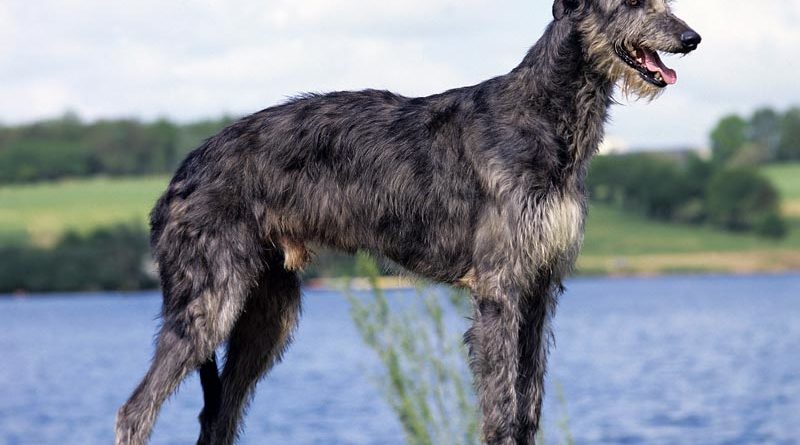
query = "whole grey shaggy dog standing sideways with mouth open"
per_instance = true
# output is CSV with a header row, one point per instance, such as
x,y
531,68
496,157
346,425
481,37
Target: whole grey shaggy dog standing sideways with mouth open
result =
x,y
480,187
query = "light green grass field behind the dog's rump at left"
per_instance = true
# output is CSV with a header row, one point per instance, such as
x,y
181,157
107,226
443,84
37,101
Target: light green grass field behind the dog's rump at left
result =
x,y
42,212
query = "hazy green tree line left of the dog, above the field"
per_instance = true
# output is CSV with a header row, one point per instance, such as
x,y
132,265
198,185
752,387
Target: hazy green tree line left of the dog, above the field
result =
x,y
68,147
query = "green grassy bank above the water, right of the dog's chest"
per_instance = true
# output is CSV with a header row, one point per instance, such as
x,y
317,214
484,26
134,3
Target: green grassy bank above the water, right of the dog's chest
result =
x,y
622,243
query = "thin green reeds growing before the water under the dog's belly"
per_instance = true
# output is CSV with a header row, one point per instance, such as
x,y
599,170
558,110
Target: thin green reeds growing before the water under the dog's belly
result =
x,y
426,378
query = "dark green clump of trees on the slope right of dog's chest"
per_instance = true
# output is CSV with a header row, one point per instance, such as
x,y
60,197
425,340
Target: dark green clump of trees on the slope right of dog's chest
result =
x,y
689,191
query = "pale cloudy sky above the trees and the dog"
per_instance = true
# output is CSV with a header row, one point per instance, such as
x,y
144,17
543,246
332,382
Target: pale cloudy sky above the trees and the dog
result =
x,y
189,60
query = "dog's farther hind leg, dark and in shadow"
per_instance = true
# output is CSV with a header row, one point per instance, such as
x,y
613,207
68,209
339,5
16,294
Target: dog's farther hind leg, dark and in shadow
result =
x,y
257,342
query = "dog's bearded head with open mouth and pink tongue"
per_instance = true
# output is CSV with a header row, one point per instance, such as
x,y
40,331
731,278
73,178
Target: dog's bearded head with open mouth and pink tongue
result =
x,y
623,38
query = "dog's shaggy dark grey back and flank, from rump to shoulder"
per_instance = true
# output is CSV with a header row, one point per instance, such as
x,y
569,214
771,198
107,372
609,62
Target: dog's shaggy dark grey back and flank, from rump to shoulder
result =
x,y
357,170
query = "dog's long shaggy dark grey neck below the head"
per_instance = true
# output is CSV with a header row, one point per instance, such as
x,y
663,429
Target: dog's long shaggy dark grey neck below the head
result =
x,y
558,80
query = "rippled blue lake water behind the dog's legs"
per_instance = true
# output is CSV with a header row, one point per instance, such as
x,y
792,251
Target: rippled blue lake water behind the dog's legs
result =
x,y
680,360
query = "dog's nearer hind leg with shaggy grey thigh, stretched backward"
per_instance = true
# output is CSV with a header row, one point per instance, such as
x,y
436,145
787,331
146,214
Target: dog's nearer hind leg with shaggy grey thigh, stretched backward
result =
x,y
206,277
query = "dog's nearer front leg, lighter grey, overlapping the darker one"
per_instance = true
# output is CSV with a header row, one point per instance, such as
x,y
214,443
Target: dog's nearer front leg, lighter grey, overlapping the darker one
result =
x,y
494,351
